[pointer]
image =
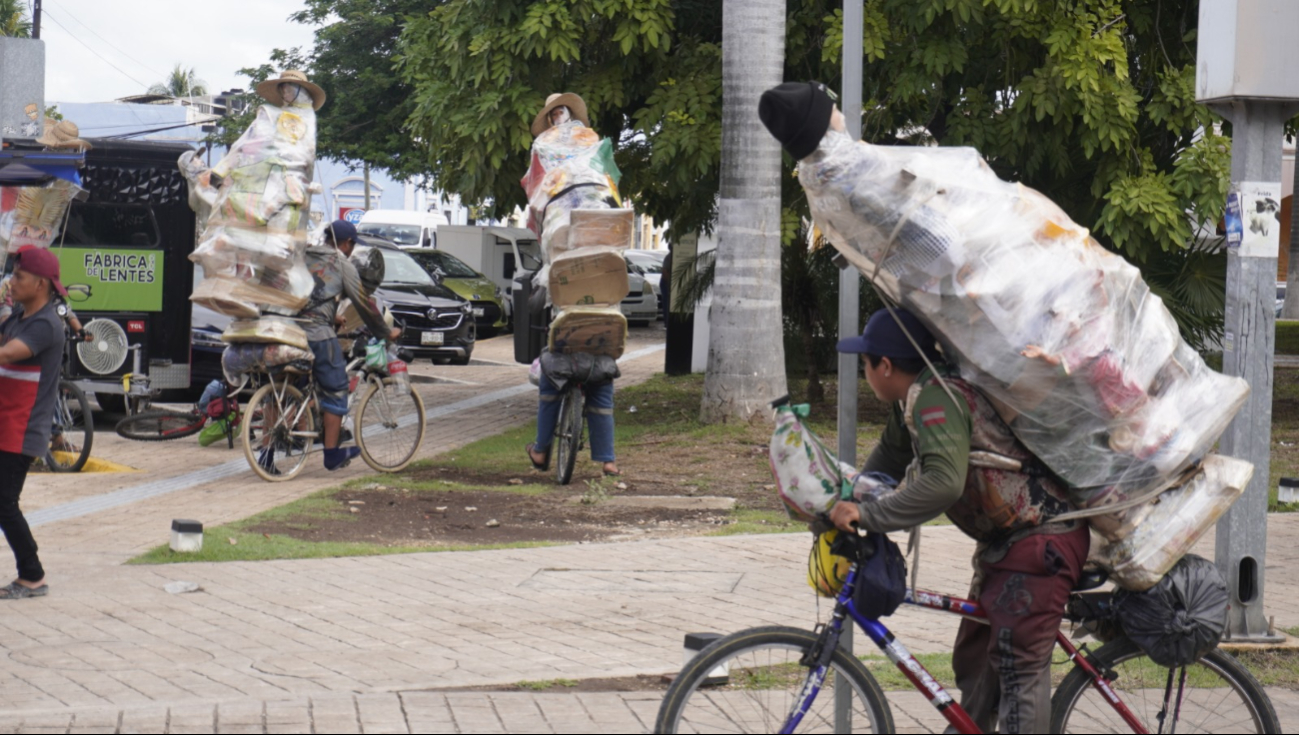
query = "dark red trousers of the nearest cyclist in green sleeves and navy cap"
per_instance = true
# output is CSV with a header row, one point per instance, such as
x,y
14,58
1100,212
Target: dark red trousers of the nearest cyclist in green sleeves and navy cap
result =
x,y
1003,669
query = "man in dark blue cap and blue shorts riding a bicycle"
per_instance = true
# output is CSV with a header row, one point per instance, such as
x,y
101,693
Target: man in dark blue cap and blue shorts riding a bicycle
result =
x,y
336,277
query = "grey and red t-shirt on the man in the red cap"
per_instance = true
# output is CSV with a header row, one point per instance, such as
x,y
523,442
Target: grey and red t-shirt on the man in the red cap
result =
x,y
28,388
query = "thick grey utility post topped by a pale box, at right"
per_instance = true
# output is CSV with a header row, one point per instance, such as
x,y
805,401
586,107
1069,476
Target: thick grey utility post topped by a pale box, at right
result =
x,y
1244,73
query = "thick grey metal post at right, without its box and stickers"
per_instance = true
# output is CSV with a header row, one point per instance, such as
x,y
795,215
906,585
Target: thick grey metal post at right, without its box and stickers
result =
x,y
1258,132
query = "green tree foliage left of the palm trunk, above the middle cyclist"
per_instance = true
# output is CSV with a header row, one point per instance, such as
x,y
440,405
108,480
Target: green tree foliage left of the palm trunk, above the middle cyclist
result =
x,y
650,72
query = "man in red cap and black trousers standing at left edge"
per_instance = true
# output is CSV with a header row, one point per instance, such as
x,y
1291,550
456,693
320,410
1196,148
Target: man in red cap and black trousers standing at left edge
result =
x,y
32,351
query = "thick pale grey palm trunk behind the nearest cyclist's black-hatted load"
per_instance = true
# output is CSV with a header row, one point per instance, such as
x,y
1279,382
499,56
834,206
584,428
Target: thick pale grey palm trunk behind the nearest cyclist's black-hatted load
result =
x,y
746,351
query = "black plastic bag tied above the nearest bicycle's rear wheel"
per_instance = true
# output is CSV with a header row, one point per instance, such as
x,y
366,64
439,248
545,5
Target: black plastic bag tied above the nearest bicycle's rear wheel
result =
x,y
1183,617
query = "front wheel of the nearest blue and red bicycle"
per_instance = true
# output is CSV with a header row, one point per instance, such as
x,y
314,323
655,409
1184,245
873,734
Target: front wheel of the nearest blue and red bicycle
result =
x,y
764,685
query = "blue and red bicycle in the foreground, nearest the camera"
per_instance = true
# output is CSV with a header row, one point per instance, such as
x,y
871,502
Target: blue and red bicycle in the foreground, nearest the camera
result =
x,y
777,680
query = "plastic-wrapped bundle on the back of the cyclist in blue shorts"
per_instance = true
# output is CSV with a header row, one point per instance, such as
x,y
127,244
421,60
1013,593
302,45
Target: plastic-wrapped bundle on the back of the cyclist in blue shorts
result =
x,y
258,198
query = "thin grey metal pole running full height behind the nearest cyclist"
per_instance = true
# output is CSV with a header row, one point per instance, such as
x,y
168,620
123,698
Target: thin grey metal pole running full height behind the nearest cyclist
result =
x,y
850,285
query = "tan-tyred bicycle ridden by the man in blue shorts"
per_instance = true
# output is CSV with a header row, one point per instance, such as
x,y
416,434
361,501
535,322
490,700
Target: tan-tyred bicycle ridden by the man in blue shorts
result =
x,y
284,421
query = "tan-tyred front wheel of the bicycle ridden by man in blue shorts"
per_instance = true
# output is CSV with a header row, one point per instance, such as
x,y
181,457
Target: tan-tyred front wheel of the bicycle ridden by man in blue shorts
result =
x,y
389,427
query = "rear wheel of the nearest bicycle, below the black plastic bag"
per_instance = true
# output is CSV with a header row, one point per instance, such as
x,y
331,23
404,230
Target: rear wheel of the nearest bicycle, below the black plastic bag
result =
x,y
1219,697
